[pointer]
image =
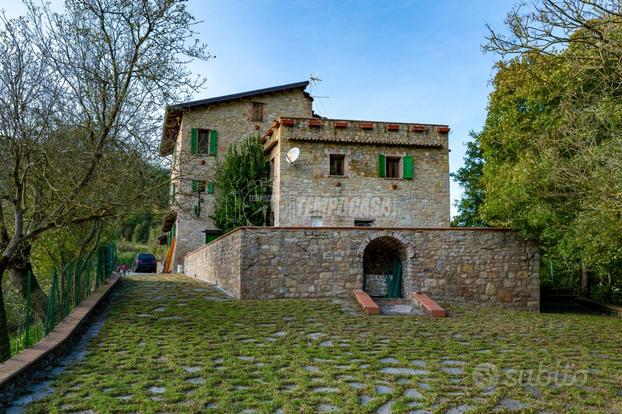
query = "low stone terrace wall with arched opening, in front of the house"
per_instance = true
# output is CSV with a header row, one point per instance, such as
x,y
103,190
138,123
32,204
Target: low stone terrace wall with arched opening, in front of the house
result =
x,y
479,266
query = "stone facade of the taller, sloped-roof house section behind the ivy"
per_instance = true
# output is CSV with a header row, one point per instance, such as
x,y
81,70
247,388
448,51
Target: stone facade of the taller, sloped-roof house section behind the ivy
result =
x,y
233,121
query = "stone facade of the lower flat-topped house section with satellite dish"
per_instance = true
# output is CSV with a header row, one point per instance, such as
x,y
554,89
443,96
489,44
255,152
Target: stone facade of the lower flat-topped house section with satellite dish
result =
x,y
306,191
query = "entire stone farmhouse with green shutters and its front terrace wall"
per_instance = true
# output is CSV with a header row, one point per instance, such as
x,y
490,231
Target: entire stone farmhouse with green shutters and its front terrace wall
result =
x,y
365,205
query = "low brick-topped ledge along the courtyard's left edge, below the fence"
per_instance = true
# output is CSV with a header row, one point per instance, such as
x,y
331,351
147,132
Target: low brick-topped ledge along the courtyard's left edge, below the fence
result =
x,y
18,370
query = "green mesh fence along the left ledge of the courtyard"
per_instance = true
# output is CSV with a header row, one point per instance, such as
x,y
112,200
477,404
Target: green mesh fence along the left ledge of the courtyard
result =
x,y
68,287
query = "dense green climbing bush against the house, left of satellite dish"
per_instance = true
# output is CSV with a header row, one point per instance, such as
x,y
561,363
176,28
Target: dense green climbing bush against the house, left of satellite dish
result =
x,y
243,188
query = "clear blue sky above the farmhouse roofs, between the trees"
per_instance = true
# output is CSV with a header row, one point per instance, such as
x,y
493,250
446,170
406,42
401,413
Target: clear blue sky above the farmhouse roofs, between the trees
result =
x,y
399,60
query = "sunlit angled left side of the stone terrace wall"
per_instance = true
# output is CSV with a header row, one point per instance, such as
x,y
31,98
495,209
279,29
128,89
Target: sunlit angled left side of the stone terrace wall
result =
x,y
218,262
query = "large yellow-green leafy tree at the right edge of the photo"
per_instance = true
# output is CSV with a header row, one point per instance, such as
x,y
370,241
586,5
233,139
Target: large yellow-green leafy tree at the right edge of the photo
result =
x,y
551,143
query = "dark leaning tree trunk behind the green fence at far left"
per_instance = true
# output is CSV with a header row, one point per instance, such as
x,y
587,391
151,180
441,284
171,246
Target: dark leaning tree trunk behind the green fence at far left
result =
x,y
18,272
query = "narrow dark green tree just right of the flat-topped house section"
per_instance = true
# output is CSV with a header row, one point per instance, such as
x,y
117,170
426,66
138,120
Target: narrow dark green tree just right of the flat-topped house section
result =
x,y
469,178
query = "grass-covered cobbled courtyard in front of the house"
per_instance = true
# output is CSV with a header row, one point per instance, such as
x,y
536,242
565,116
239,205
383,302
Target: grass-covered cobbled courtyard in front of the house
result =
x,y
301,356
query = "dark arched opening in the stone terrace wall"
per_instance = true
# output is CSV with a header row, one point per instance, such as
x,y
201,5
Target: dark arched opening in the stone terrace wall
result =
x,y
384,260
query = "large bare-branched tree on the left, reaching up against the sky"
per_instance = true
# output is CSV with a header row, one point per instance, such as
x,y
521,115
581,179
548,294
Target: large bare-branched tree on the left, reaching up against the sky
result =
x,y
80,95
